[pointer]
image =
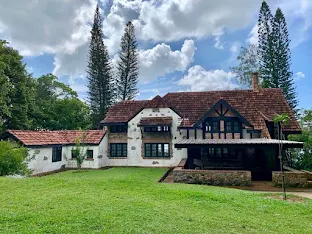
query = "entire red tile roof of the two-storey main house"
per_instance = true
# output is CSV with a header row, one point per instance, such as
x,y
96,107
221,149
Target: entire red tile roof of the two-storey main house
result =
x,y
255,107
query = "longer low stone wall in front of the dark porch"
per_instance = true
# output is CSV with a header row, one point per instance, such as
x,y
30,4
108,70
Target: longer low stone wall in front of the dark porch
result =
x,y
212,177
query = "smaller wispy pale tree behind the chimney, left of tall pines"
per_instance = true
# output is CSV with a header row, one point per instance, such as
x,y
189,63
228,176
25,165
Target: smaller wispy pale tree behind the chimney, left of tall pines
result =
x,y
248,63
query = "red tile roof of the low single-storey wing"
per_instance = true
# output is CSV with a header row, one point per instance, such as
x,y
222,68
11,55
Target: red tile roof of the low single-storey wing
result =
x,y
66,137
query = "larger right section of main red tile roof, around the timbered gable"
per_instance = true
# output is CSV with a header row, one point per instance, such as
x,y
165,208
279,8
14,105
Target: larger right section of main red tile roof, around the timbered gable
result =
x,y
253,106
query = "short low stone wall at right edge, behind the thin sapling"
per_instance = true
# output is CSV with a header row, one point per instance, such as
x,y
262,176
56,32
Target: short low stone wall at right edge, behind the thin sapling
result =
x,y
292,179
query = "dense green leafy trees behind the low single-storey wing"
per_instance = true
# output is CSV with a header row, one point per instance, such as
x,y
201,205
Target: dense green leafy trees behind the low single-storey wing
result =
x,y
29,103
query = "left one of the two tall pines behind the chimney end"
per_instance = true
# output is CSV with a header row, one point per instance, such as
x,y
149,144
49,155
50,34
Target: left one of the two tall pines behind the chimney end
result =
x,y
265,50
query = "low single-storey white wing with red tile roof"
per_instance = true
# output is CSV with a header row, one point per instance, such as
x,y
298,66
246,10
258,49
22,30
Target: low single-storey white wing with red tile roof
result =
x,y
52,150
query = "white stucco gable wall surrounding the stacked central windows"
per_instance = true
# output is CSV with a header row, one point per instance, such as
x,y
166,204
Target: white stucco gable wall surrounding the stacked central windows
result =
x,y
135,157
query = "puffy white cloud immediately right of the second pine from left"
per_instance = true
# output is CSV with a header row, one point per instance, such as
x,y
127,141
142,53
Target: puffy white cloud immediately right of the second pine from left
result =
x,y
161,60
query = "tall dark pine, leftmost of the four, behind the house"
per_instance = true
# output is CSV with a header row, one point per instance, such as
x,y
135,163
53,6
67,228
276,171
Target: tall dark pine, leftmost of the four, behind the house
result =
x,y
100,82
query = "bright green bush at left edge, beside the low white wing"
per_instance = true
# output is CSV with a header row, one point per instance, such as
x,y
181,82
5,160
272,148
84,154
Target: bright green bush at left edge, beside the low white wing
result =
x,y
13,159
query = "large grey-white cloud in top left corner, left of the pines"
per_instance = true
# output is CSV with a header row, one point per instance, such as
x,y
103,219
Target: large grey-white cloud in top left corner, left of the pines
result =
x,y
37,27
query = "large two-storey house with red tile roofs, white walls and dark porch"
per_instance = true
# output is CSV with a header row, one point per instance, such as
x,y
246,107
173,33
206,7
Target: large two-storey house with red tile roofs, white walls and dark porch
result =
x,y
219,134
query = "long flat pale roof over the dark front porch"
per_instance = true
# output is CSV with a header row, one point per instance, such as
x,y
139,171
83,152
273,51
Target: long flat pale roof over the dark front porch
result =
x,y
259,142
